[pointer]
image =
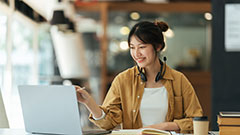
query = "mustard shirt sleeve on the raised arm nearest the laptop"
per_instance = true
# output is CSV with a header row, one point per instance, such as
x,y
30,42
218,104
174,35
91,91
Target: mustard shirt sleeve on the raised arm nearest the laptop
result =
x,y
112,108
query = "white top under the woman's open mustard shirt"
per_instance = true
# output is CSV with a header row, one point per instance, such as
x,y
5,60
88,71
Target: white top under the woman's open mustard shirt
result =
x,y
154,106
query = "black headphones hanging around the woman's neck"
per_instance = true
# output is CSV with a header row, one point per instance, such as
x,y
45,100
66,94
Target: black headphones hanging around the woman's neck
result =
x,y
159,75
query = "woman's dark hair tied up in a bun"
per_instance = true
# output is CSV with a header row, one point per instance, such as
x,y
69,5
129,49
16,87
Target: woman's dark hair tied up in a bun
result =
x,y
149,33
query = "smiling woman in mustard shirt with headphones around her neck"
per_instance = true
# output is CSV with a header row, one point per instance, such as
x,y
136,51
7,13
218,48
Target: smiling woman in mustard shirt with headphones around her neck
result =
x,y
150,94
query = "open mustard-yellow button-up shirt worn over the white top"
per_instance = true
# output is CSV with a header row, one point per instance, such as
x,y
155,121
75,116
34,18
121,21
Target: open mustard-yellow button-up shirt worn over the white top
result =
x,y
122,102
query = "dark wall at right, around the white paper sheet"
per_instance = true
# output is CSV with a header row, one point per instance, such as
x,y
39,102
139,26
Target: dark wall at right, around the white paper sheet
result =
x,y
225,67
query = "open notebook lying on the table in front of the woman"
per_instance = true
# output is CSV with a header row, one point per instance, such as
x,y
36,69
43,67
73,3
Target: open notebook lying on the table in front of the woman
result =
x,y
143,131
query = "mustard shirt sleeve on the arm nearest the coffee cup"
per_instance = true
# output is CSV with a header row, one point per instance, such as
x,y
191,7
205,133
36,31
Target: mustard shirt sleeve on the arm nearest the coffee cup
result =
x,y
190,105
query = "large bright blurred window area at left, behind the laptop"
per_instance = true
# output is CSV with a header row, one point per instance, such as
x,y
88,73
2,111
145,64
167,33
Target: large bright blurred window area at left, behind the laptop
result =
x,y
27,58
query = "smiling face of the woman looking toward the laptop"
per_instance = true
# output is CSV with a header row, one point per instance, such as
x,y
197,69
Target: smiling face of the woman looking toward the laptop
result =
x,y
143,54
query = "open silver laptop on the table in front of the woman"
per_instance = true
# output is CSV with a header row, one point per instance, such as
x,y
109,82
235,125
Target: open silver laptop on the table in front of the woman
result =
x,y
51,109
